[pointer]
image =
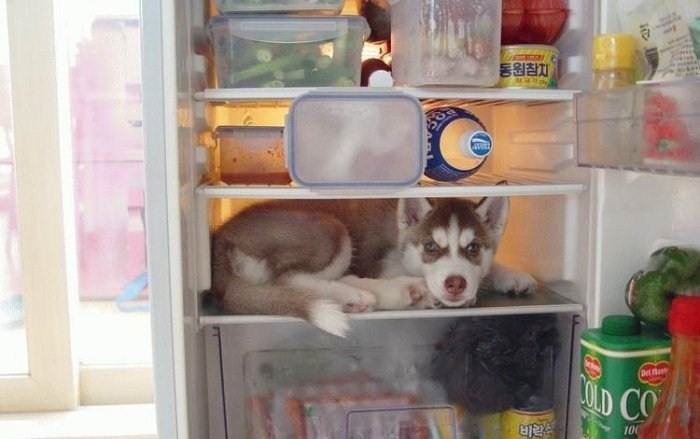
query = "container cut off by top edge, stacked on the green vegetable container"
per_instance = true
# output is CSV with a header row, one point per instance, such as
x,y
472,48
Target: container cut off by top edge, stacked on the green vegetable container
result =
x,y
310,7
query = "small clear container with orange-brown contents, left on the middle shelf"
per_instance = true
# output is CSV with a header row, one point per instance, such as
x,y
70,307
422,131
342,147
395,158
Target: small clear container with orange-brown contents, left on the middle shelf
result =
x,y
249,155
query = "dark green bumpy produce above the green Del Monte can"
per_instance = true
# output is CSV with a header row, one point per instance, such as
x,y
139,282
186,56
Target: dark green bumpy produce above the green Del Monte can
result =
x,y
670,271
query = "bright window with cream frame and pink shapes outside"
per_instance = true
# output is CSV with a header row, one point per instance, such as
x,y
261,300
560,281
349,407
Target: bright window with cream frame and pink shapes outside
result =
x,y
74,320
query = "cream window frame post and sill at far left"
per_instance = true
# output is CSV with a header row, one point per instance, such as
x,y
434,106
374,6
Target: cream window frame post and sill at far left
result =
x,y
47,249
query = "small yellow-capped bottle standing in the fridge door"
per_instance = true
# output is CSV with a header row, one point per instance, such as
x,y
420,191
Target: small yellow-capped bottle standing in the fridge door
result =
x,y
613,61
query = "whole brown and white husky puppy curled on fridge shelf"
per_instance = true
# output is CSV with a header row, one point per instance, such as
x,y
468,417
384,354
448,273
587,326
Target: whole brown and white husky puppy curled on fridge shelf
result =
x,y
320,259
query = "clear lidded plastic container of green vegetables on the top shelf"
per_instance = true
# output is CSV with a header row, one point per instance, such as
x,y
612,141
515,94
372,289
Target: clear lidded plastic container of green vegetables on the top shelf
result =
x,y
287,51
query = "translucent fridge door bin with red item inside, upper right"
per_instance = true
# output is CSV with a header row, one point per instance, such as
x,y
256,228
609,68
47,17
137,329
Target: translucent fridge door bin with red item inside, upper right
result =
x,y
648,127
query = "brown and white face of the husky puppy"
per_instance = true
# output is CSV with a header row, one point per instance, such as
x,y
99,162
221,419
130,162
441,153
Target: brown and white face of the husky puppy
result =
x,y
452,244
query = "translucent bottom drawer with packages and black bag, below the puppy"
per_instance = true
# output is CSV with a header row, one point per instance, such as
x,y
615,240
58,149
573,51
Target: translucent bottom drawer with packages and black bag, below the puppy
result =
x,y
472,377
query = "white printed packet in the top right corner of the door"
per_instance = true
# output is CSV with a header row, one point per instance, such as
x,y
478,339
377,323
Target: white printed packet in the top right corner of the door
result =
x,y
667,33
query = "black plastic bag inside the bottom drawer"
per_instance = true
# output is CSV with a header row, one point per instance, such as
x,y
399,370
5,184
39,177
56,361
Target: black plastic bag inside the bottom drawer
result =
x,y
490,364
